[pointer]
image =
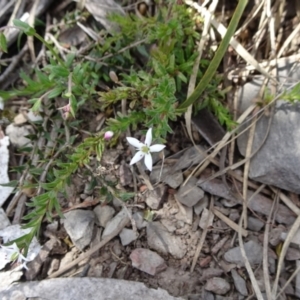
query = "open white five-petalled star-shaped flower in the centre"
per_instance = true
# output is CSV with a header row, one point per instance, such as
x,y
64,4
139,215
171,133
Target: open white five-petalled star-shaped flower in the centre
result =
x,y
144,150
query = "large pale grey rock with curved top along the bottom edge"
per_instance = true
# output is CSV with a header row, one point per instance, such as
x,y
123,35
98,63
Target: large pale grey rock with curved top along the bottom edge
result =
x,y
84,288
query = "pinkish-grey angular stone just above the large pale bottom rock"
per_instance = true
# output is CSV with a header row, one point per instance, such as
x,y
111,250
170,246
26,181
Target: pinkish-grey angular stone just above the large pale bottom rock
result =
x,y
147,261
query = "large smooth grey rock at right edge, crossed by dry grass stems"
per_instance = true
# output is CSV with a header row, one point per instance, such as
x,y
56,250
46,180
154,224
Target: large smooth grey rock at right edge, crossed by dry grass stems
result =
x,y
278,160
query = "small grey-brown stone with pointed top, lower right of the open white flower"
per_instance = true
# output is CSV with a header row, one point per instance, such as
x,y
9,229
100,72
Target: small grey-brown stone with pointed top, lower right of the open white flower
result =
x,y
190,194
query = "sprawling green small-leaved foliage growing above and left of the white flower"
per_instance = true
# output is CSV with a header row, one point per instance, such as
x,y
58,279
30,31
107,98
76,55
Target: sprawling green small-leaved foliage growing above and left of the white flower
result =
x,y
156,57
